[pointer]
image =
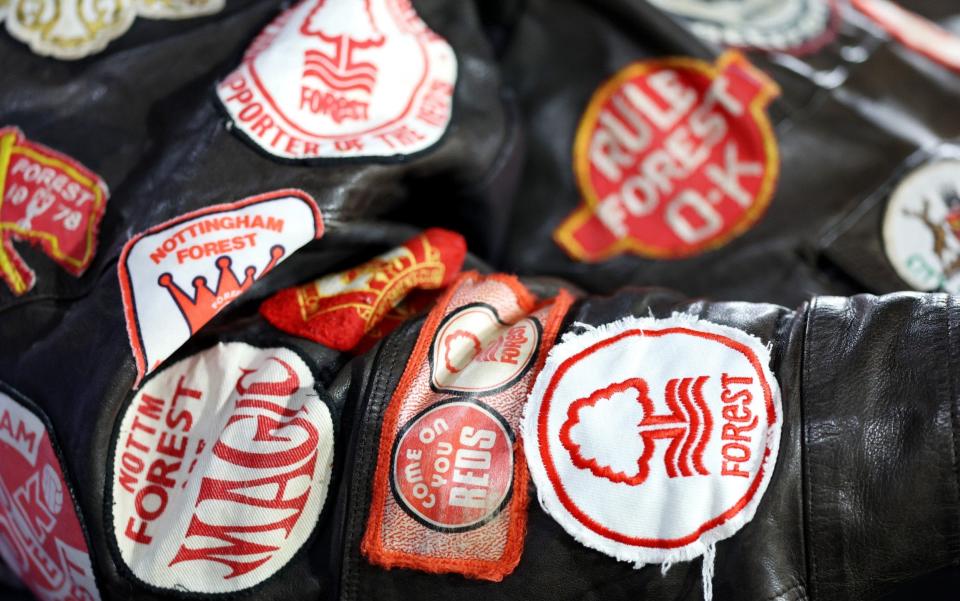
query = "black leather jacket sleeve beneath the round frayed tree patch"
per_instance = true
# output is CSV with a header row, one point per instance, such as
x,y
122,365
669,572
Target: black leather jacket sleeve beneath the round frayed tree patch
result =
x,y
864,494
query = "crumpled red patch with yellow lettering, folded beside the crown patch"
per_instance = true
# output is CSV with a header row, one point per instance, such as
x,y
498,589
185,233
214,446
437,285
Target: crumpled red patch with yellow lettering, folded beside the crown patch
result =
x,y
339,309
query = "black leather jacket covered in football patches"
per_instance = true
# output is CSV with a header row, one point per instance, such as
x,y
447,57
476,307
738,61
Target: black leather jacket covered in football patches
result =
x,y
864,501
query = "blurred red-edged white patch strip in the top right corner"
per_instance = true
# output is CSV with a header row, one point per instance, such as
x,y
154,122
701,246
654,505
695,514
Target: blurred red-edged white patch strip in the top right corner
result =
x,y
913,31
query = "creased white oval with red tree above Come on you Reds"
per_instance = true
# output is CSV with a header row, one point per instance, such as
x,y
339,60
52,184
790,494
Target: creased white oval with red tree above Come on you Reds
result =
x,y
475,352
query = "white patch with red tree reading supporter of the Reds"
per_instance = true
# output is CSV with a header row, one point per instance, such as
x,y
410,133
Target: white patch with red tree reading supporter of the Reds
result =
x,y
343,78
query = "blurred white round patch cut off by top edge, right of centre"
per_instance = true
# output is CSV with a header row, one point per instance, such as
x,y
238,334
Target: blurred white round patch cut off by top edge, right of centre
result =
x,y
796,26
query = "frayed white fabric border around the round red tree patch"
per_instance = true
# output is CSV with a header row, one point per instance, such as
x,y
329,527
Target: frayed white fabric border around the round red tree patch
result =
x,y
573,342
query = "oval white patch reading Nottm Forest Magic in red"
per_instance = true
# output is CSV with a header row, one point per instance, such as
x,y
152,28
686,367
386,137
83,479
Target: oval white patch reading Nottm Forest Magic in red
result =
x,y
220,469
